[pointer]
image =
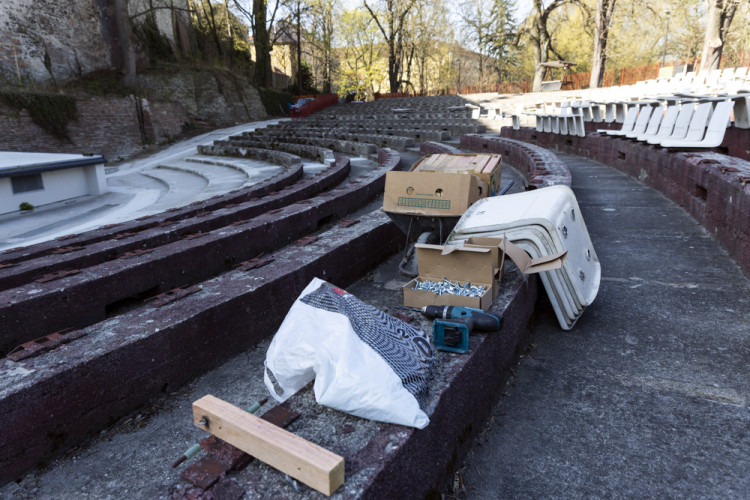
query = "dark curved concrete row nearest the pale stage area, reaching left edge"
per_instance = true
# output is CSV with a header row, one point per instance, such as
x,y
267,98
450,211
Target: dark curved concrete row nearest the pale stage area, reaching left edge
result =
x,y
289,176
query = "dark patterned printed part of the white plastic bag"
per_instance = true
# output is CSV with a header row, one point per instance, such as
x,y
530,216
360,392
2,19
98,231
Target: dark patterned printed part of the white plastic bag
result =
x,y
407,351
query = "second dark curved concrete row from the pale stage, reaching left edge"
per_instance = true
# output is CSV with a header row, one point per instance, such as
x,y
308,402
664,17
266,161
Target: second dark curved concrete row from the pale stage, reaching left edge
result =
x,y
122,244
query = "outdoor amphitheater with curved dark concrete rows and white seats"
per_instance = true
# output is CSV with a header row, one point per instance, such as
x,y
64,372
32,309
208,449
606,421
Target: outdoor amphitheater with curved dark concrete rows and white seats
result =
x,y
116,321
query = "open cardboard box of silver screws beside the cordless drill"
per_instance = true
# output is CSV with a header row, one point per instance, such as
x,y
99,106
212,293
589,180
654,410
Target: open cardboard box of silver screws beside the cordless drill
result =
x,y
461,264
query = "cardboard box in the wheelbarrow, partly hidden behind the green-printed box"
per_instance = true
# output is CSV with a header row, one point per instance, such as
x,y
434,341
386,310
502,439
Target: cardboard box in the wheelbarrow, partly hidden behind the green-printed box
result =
x,y
483,165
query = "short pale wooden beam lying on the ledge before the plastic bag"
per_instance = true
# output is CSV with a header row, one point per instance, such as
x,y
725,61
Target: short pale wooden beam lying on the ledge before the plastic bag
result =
x,y
305,461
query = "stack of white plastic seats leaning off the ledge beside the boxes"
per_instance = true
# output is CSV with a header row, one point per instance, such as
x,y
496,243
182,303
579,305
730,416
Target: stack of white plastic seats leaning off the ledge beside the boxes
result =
x,y
542,222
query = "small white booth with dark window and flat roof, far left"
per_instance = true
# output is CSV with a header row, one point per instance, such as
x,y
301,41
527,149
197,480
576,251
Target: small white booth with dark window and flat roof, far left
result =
x,y
44,178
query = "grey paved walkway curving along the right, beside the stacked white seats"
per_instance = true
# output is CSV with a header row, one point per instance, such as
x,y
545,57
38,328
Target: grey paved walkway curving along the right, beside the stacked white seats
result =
x,y
649,395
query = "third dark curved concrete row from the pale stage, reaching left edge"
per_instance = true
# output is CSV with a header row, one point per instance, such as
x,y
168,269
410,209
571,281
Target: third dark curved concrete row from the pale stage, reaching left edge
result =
x,y
36,309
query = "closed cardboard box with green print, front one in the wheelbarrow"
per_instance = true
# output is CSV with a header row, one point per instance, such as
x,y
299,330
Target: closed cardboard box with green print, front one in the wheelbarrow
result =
x,y
432,194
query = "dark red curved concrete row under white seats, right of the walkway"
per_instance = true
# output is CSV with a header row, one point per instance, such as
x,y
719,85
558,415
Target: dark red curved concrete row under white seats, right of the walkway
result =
x,y
711,186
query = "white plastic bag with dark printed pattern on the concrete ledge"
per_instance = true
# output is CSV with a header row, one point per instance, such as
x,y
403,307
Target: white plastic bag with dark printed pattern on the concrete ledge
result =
x,y
364,362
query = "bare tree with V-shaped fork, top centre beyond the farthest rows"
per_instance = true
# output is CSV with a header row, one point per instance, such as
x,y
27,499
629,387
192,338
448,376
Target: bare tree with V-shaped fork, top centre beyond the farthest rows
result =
x,y
391,21
